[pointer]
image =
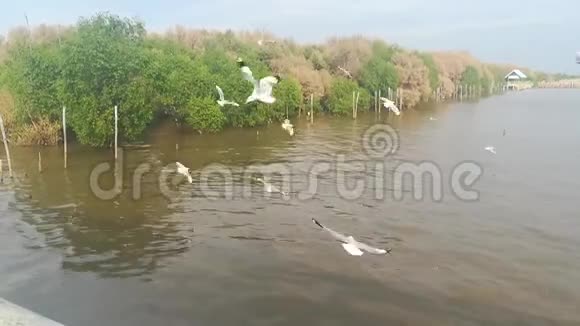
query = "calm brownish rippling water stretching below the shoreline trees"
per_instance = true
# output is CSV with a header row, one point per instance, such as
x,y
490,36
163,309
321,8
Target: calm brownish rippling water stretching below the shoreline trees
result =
x,y
509,258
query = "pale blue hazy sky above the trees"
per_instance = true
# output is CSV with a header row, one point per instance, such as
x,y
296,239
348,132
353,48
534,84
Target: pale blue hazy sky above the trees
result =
x,y
540,34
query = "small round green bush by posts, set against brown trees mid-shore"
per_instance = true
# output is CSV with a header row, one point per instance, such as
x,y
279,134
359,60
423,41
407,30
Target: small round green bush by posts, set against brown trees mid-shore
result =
x,y
340,99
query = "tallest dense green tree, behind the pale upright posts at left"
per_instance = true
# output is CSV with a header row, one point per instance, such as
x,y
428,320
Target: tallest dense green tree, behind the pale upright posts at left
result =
x,y
106,66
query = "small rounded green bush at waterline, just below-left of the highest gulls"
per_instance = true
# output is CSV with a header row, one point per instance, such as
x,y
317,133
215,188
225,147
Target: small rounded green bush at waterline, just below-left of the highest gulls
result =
x,y
203,114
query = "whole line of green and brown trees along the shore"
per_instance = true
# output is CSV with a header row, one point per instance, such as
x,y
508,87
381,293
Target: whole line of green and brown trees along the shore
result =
x,y
107,60
